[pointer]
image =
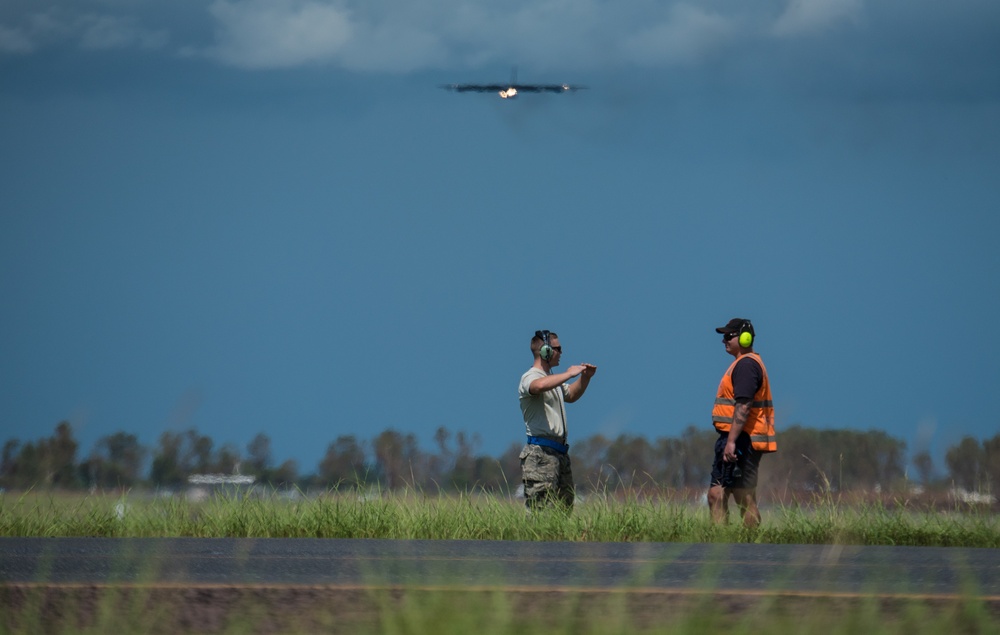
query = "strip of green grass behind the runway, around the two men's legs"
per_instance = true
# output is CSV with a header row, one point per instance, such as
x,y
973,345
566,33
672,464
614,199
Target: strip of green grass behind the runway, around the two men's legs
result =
x,y
475,517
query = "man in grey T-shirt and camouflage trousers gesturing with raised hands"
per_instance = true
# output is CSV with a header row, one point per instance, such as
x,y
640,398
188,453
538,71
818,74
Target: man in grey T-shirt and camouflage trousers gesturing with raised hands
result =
x,y
545,466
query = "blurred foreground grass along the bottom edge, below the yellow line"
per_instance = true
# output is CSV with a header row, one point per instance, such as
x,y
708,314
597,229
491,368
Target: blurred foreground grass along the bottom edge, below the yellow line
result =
x,y
401,612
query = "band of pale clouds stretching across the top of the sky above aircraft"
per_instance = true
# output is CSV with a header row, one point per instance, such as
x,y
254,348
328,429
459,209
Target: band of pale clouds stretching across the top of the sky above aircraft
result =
x,y
924,44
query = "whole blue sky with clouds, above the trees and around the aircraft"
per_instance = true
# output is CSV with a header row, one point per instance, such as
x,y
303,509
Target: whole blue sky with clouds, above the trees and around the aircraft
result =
x,y
258,216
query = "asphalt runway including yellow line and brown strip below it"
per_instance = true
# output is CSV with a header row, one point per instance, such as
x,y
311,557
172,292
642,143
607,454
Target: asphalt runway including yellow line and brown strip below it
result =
x,y
199,577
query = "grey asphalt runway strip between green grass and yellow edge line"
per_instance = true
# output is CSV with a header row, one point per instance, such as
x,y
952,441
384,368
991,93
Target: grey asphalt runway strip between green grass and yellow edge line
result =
x,y
819,569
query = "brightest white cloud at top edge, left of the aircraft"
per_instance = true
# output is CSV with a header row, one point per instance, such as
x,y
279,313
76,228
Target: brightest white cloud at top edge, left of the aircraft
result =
x,y
278,33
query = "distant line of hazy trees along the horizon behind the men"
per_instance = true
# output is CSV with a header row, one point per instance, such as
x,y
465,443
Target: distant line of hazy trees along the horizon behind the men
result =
x,y
808,459
